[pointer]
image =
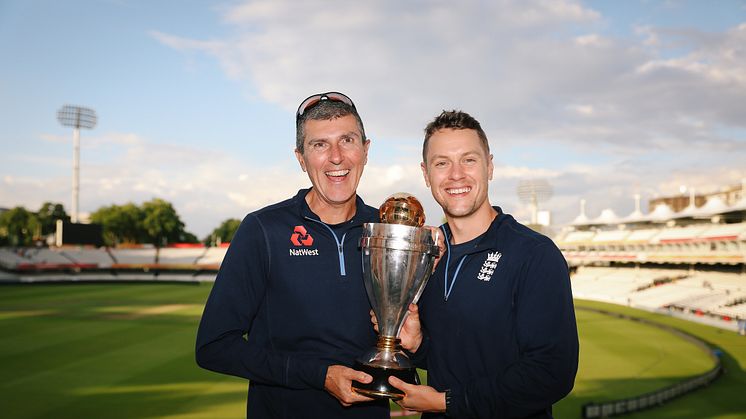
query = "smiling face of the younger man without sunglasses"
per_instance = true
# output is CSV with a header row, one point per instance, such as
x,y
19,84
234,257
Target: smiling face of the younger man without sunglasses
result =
x,y
457,169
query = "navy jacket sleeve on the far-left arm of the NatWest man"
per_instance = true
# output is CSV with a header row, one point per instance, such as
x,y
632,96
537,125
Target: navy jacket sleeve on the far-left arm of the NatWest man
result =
x,y
224,341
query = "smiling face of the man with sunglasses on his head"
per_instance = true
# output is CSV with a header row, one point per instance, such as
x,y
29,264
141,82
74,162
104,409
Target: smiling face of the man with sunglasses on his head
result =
x,y
334,155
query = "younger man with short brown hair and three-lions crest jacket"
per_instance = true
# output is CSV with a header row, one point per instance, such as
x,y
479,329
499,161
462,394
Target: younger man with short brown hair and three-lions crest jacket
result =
x,y
498,335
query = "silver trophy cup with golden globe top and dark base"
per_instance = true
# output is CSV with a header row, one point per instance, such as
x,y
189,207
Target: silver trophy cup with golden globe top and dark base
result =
x,y
398,257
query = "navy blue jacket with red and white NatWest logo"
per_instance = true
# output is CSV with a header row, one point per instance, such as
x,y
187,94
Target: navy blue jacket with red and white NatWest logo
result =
x,y
288,302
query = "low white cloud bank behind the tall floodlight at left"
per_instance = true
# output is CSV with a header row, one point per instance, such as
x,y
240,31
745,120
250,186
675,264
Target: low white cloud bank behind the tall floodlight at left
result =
x,y
203,184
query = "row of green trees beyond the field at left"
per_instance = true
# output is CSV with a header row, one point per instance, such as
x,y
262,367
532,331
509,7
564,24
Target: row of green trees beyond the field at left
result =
x,y
155,222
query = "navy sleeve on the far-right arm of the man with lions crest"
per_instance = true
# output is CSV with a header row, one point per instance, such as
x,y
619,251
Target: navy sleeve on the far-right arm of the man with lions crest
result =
x,y
547,344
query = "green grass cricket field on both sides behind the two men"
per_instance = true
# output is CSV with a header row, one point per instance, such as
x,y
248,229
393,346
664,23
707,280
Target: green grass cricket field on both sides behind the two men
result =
x,y
126,351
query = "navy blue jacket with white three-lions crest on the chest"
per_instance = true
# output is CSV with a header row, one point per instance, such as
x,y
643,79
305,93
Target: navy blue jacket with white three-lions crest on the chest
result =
x,y
505,342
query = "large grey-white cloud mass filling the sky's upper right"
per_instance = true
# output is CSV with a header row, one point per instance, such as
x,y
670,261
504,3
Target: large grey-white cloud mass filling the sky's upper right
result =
x,y
638,111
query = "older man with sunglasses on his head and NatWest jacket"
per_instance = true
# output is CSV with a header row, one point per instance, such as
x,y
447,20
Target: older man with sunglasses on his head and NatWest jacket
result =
x,y
288,310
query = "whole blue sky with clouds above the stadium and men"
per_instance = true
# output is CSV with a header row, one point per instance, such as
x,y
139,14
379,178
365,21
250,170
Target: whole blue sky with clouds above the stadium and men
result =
x,y
196,100
